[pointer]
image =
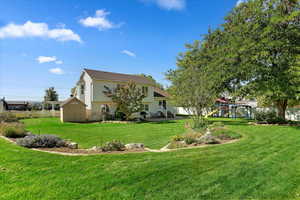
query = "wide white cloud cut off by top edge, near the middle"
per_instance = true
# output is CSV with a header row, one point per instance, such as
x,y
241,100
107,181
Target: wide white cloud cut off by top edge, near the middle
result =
x,y
169,4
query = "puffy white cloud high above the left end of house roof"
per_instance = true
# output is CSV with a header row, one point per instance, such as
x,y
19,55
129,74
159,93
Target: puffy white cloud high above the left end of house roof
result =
x,y
99,21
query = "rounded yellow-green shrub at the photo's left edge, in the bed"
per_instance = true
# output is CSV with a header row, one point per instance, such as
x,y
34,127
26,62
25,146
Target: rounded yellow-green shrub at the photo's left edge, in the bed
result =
x,y
12,130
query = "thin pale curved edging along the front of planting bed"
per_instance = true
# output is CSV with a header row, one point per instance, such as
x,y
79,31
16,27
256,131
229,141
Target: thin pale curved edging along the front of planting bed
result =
x,y
163,149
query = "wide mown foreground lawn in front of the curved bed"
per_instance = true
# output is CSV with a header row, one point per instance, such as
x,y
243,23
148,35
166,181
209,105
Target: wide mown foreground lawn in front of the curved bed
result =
x,y
264,164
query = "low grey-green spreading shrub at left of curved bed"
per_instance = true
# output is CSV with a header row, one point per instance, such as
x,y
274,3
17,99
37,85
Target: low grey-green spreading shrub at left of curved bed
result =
x,y
41,141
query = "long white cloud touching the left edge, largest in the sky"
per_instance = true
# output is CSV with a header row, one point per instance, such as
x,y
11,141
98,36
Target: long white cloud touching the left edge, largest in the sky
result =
x,y
31,29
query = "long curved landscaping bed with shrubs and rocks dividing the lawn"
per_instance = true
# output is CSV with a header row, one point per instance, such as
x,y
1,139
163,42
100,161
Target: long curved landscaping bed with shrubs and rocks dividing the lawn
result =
x,y
217,133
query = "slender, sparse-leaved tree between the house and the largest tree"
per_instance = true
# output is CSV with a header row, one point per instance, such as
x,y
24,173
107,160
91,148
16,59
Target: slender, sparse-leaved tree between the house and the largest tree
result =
x,y
194,87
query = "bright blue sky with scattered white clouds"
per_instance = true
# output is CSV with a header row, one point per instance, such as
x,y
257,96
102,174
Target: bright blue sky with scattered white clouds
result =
x,y
48,43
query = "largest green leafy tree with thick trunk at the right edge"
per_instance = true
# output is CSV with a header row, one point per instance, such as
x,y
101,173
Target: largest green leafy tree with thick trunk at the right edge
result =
x,y
262,50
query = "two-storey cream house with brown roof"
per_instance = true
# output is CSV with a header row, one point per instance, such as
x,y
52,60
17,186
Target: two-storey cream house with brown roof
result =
x,y
89,89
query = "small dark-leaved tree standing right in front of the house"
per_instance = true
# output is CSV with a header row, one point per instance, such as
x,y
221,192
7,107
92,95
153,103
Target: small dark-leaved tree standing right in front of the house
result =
x,y
128,98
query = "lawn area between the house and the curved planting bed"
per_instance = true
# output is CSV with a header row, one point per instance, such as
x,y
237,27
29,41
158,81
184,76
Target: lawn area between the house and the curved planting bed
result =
x,y
154,135
